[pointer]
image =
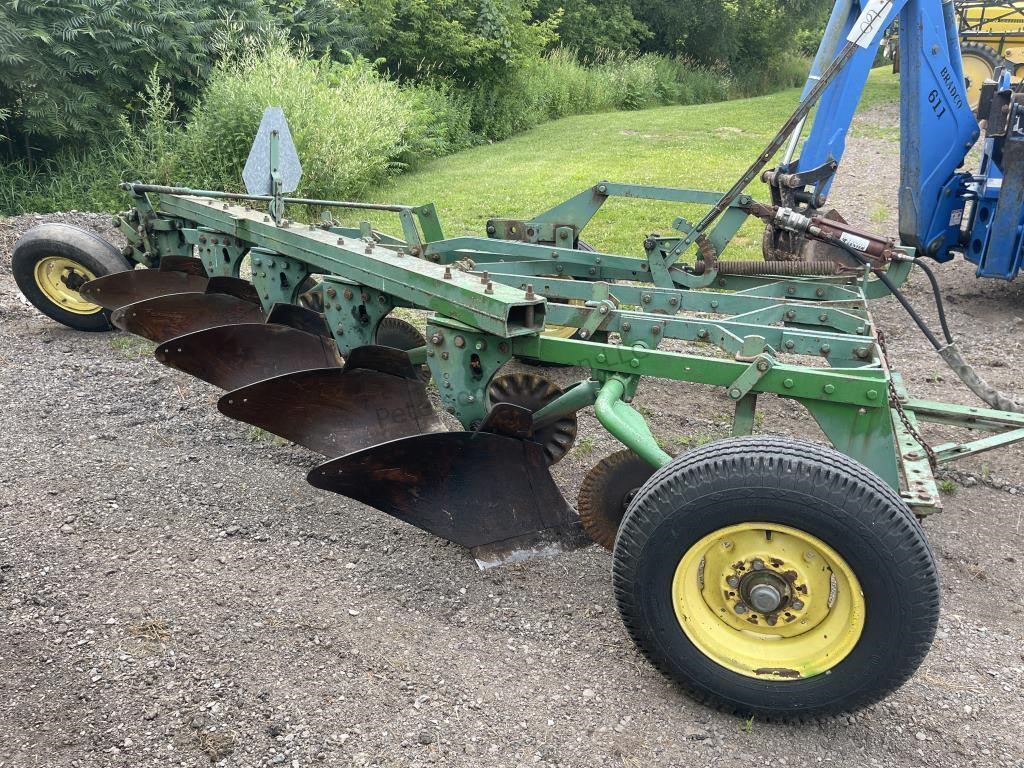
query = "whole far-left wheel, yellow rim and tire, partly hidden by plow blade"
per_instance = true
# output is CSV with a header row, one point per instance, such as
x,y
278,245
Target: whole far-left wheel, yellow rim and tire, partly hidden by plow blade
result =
x,y
53,262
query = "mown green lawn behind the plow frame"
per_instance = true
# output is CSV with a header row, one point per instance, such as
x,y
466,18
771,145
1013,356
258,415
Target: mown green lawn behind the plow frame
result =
x,y
705,148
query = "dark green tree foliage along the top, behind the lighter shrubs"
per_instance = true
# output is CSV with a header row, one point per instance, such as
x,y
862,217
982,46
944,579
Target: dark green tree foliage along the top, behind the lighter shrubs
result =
x,y
71,69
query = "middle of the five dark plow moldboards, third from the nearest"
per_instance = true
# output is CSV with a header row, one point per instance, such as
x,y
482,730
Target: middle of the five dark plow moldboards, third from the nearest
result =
x,y
234,357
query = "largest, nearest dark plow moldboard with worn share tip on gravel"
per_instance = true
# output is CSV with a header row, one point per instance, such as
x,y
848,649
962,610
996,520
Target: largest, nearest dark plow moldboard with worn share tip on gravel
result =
x,y
489,493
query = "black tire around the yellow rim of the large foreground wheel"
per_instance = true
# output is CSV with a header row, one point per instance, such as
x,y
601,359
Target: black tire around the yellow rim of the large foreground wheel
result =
x,y
806,487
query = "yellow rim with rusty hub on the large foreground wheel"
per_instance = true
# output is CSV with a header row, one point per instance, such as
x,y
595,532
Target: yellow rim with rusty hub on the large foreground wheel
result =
x,y
769,602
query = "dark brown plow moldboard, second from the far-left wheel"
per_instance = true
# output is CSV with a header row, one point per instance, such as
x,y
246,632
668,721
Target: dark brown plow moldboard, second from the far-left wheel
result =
x,y
226,302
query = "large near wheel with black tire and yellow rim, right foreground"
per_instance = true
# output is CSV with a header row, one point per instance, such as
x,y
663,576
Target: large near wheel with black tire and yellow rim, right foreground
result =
x,y
777,578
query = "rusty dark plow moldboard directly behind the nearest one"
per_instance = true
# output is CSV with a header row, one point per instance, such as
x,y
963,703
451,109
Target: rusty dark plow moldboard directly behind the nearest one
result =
x,y
376,398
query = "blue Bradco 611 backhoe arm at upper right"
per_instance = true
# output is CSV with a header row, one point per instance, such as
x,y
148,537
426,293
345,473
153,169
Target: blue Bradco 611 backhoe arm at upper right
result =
x,y
943,208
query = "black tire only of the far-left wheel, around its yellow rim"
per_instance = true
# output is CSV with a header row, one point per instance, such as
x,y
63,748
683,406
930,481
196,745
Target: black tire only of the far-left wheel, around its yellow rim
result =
x,y
81,246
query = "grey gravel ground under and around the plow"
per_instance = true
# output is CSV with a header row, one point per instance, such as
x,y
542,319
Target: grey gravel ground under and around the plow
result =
x,y
175,593
